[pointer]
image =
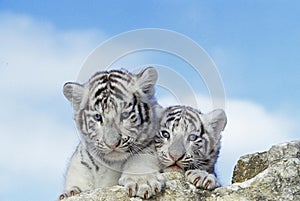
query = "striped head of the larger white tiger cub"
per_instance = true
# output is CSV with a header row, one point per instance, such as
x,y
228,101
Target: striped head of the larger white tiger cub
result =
x,y
114,112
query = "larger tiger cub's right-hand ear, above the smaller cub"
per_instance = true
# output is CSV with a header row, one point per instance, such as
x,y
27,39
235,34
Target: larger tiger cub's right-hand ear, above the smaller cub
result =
x,y
146,81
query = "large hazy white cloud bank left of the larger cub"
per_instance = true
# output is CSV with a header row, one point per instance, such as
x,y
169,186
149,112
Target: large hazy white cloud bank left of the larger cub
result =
x,y
36,127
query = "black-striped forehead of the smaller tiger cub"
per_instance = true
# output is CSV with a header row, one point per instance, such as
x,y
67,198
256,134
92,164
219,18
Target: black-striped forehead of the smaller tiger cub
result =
x,y
181,120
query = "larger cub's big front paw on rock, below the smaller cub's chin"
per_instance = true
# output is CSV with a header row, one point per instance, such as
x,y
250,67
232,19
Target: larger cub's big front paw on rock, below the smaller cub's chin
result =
x,y
144,186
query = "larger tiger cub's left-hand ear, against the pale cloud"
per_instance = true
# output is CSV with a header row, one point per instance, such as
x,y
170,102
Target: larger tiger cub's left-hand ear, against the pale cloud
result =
x,y
74,93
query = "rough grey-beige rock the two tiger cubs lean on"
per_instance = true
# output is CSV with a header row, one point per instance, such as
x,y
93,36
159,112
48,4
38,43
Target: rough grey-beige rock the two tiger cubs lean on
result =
x,y
271,175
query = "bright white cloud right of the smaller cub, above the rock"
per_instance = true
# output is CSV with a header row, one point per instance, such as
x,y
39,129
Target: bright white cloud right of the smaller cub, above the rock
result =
x,y
251,128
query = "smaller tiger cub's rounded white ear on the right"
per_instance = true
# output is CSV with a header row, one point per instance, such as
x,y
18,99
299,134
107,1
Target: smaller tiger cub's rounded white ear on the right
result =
x,y
215,121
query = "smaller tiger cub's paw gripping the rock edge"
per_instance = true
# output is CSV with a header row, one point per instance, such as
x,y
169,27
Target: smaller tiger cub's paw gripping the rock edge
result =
x,y
202,179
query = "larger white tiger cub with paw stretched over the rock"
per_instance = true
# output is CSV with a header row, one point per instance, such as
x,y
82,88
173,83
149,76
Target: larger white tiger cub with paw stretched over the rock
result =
x,y
115,114
